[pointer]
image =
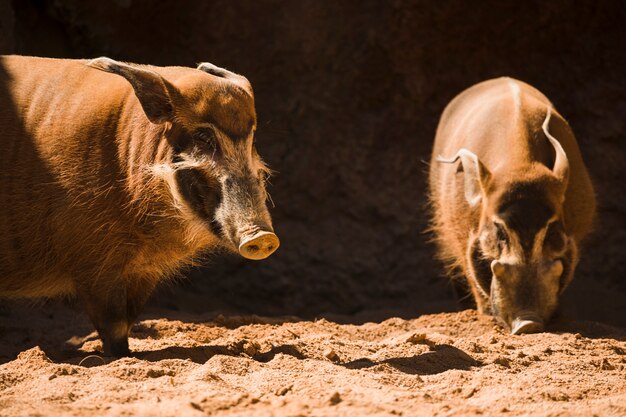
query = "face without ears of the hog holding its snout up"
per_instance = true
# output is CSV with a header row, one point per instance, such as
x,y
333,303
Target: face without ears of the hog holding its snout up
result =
x,y
219,176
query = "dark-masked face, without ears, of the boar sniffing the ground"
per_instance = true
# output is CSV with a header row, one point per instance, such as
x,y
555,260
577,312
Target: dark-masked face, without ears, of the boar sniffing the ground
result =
x,y
522,257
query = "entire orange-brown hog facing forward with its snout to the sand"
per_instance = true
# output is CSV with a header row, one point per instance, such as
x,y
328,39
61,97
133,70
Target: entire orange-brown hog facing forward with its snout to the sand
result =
x,y
512,199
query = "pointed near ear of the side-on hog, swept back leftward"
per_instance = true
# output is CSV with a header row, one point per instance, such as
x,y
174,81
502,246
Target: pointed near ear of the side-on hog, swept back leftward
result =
x,y
150,88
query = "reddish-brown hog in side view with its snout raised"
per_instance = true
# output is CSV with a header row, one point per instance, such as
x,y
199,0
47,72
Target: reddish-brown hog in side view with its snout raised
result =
x,y
113,176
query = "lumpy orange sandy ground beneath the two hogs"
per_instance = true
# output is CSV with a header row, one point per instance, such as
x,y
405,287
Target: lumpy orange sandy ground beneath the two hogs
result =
x,y
443,364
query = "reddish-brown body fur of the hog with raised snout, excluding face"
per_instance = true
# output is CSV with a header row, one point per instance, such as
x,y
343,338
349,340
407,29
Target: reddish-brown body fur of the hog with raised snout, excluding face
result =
x,y
82,211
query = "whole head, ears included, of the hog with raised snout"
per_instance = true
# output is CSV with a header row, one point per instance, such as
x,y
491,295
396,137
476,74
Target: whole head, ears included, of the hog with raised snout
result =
x,y
207,121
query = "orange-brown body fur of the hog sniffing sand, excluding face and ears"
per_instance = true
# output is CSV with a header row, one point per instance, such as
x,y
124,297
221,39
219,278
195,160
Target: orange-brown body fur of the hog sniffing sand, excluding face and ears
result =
x,y
500,121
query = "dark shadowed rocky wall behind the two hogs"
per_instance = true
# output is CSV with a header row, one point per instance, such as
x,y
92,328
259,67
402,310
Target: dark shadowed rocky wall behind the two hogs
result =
x,y
348,96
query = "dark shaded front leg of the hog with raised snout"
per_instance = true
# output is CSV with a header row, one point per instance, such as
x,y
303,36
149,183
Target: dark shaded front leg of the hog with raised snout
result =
x,y
106,306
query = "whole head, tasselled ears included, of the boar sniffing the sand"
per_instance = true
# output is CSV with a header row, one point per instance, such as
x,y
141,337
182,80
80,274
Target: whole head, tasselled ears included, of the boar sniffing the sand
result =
x,y
519,257
